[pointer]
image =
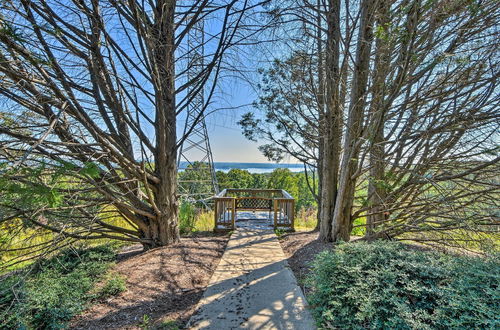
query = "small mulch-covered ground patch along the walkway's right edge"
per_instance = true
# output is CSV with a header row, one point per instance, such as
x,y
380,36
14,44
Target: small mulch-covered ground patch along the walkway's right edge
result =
x,y
300,248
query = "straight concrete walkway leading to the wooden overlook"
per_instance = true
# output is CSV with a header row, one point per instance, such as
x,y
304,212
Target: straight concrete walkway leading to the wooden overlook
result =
x,y
252,287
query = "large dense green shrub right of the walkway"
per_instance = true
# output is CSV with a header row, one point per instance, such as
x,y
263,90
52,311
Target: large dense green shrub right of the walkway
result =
x,y
387,285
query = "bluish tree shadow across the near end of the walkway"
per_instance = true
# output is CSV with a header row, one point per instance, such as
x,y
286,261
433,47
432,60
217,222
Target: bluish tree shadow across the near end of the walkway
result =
x,y
231,307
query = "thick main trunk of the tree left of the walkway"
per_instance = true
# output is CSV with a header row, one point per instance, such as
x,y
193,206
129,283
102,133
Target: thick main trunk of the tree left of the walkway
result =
x,y
164,230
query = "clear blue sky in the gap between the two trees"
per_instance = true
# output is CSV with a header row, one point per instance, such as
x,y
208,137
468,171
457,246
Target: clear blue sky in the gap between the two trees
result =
x,y
233,98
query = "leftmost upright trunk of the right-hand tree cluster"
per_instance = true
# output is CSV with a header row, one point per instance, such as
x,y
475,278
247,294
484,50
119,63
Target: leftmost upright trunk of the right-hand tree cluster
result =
x,y
332,127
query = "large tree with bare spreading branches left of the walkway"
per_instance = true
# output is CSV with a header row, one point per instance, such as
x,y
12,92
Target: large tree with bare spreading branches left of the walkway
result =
x,y
91,92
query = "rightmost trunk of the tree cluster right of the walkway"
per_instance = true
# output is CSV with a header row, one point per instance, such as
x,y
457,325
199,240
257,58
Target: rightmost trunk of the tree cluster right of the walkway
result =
x,y
377,185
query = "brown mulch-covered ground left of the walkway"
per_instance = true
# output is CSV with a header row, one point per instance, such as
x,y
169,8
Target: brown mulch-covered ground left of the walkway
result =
x,y
163,285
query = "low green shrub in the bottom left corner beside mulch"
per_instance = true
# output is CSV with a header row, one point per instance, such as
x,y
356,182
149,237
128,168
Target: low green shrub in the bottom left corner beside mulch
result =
x,y
55,290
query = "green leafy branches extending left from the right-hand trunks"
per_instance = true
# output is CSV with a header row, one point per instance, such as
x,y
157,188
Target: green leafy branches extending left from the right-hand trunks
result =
x,y
285,87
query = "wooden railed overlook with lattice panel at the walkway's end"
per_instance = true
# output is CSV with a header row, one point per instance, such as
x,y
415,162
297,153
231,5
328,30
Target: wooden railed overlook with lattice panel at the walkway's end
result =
x,y
277,202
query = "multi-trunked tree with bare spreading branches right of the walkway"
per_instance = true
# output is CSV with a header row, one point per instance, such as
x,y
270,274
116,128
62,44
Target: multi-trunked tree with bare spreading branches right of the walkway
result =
x,y
395,104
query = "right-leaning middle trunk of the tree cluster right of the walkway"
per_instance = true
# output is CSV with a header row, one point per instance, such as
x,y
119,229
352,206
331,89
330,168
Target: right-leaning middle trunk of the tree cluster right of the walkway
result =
x,y
342,223
